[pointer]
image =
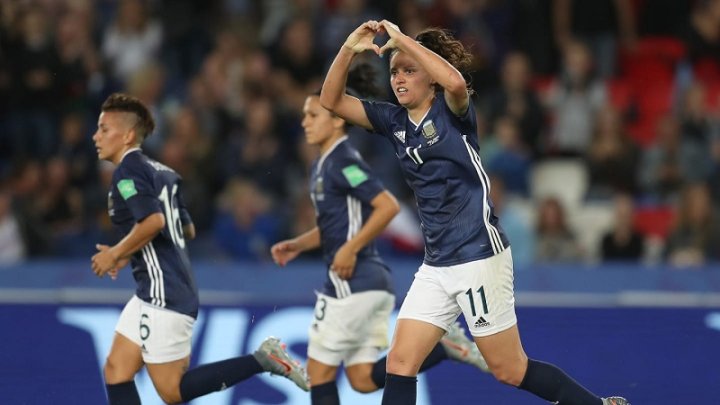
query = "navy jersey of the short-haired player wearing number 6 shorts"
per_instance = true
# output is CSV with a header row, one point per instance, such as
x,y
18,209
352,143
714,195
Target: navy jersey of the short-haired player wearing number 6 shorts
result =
x,y
140,188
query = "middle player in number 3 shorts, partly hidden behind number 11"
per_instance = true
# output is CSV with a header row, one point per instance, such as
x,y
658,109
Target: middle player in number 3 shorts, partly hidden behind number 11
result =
x,y
352,312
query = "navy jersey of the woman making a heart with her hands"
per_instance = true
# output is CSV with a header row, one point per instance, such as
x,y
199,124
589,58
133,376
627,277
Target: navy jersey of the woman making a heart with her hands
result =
x,y
439,160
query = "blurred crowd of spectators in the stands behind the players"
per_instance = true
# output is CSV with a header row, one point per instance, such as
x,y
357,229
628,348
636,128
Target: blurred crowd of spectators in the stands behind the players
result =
x,y
599,119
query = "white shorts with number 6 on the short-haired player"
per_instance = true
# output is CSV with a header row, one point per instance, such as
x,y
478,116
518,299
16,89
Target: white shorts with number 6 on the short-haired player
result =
x,y
163,335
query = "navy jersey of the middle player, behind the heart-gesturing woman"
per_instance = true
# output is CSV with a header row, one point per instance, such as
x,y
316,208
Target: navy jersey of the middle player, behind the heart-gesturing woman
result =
x,y
342,187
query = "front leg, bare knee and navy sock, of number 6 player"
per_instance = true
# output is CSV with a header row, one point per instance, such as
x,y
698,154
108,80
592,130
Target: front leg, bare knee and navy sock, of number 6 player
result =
x,y
123,362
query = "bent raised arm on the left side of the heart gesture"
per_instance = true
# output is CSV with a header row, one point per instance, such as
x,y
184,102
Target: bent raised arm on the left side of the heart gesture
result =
x,y
333,96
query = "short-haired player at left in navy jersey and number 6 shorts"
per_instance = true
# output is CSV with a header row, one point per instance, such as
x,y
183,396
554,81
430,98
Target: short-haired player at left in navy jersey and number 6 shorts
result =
x,y
146,207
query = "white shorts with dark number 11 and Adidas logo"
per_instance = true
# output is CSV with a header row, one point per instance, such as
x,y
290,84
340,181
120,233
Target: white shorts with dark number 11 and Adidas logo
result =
x,y
482,290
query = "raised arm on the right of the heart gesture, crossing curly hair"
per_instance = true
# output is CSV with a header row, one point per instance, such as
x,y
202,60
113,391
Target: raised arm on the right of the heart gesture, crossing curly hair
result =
x,y
439,69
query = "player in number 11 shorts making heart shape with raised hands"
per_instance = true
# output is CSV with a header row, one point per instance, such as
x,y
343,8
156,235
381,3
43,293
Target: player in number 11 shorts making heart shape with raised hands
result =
x,y
467,266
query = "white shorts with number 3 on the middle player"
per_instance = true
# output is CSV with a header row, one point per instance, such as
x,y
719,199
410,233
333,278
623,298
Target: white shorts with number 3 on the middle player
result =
x,y
350,330
